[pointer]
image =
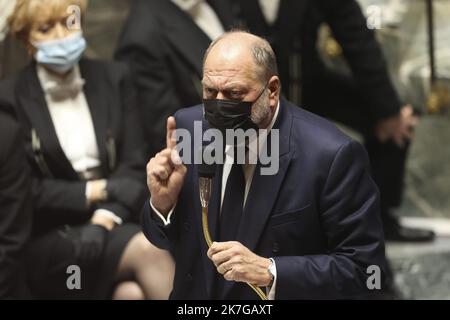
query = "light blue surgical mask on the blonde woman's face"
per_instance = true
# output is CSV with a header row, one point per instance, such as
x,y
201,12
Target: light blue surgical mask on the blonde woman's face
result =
x,y
61,55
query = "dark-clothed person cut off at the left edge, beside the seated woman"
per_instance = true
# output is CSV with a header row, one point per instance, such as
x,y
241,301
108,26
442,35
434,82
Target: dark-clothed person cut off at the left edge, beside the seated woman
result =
x,y
15,208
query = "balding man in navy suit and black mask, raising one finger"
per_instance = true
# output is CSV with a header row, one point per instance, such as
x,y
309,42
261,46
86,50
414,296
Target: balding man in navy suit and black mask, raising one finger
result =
x,y
310,230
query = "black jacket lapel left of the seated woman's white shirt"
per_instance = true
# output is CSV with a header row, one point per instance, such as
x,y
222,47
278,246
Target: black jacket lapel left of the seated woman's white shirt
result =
x,y
32,99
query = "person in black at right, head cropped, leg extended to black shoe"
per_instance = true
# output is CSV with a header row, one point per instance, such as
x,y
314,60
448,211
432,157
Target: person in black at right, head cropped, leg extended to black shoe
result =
x,y
365,100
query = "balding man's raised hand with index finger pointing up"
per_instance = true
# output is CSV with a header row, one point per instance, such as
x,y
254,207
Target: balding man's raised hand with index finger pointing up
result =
x,y
165,173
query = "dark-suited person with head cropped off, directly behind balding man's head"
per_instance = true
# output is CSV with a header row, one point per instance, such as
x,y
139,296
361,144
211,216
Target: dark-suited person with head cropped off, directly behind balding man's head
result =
x,y
163,42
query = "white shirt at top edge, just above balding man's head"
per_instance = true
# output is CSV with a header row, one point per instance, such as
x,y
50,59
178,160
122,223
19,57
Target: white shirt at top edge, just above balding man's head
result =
x,y
203,16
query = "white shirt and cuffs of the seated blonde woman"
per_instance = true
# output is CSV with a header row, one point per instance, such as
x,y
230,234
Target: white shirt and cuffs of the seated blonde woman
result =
x,y
73,123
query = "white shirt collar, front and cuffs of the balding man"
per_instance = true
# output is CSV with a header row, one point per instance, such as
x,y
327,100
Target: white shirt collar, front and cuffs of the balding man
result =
x,y
249,170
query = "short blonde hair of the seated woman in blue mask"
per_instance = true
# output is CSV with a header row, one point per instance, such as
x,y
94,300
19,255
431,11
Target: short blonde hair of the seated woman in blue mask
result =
x,y
26,13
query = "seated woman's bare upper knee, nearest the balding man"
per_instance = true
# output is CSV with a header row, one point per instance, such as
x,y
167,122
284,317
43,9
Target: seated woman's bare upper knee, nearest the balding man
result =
x,y
151,268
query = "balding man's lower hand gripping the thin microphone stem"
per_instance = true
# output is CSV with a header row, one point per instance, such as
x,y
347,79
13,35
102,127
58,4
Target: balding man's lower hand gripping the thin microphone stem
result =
x,y
237,263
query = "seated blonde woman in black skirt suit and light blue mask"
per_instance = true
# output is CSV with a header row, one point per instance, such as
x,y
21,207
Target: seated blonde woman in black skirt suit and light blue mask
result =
x,y
84,145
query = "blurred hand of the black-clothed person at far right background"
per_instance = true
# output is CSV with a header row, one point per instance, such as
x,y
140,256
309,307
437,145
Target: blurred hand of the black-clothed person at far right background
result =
x,y
398,128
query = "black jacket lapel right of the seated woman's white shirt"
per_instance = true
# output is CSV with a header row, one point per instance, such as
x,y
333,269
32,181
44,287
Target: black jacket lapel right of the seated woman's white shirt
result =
x,y
98,102
